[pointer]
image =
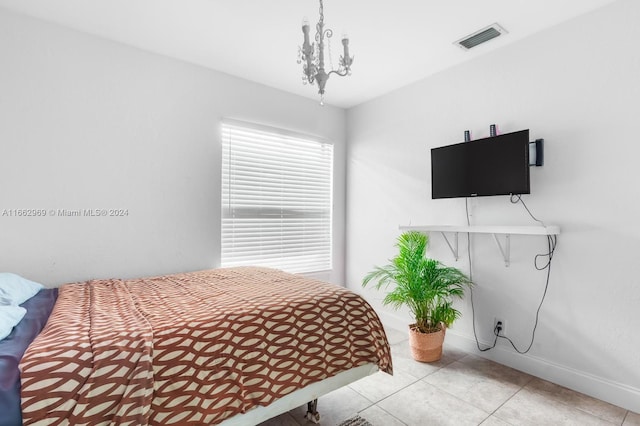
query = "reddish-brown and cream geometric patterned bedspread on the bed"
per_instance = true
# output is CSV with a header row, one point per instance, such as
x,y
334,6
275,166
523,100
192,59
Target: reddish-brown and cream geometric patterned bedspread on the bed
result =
x,y
193,348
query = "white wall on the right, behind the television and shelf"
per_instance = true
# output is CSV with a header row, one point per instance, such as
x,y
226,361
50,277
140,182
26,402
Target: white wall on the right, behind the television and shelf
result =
x,y
577,86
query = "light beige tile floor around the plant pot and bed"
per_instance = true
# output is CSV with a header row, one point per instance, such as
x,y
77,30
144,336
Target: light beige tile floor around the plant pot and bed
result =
x,y
460,389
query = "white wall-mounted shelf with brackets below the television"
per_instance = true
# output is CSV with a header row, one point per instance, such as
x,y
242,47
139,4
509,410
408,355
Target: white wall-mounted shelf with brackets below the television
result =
x,y
495,230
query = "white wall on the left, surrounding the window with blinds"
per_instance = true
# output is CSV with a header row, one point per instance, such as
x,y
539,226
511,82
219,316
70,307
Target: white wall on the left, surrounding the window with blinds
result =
x,y
90,124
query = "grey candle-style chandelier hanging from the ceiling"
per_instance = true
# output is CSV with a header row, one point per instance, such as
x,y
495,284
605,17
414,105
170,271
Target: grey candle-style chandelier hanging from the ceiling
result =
x,y
311,55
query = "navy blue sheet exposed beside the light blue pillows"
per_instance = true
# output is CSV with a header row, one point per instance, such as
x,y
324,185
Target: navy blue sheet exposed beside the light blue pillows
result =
x,y
13,347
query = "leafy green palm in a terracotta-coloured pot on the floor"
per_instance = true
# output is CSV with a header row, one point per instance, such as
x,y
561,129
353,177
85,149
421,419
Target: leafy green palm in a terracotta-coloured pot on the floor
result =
x,y
427,287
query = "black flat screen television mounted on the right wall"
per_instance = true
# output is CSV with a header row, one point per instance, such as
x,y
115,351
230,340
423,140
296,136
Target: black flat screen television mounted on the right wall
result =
x,y
497,165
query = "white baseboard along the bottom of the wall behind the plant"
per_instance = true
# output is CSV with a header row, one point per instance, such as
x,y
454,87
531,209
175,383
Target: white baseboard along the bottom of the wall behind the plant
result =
x,y
619,394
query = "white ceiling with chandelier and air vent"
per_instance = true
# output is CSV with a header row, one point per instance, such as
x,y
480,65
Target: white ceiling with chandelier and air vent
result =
x,y
394,42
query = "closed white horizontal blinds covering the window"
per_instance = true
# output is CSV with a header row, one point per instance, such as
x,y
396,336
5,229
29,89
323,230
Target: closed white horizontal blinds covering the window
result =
x,y
276,199
